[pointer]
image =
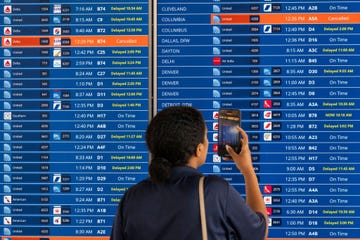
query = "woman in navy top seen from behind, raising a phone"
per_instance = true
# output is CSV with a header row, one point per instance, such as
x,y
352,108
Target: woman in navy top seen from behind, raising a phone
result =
x,y
166,206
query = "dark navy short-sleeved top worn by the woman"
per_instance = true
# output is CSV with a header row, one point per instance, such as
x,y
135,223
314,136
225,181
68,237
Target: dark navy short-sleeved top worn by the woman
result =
x,y
170,211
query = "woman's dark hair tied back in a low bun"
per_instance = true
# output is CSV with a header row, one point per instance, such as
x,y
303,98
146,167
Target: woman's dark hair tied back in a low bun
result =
x,y
172,138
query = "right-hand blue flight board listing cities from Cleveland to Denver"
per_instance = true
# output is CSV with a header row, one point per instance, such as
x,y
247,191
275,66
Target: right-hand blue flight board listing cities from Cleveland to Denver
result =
x,y
292,68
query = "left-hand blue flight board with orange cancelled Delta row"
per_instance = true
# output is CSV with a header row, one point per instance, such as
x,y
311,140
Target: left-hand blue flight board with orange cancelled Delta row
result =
x,y
75,90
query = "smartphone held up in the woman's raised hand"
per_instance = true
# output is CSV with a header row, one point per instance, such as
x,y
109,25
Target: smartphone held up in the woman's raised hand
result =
x,y
228,134
